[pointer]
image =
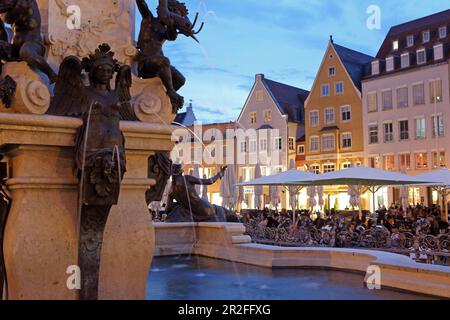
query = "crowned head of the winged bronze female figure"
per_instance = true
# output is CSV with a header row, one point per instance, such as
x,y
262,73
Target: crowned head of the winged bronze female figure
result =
x,y
101,65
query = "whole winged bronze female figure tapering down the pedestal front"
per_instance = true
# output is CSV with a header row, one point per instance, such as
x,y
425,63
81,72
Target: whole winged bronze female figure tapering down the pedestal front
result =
x,y
99,149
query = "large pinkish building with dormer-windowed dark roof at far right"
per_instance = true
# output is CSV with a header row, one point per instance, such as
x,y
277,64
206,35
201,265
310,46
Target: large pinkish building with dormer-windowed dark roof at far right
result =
x,y
407,102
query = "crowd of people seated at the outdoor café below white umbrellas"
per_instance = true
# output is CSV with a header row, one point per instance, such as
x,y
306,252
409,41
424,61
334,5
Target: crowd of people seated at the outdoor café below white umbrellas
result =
x,y
414,219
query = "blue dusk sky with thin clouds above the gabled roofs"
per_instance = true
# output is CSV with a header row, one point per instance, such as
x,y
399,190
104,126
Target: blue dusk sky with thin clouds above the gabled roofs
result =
x,y
283,39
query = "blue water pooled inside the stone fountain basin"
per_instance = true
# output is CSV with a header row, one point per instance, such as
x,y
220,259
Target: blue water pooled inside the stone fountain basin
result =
x,y
205,279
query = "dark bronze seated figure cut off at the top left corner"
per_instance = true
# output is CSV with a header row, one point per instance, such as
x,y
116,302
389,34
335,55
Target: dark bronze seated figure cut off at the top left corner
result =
x,y
25,19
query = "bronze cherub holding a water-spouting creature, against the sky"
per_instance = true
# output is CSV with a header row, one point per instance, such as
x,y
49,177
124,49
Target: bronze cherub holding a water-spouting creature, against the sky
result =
x,y
171,21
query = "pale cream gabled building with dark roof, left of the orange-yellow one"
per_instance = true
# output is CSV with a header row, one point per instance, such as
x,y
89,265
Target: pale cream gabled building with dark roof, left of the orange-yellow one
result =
x,y
272,121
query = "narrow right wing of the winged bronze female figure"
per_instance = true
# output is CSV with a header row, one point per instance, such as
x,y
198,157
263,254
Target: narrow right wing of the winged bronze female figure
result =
x,y
123,85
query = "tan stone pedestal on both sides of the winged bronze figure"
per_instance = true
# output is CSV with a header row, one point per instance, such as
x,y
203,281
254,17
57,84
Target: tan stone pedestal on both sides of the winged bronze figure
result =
x,y
41,238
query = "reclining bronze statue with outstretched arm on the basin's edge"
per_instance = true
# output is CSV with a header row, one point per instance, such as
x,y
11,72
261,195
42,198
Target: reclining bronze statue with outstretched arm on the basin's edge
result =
x,y
189,206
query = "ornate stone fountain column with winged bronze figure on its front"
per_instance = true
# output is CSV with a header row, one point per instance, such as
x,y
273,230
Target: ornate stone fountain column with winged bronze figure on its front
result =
x,y
95,217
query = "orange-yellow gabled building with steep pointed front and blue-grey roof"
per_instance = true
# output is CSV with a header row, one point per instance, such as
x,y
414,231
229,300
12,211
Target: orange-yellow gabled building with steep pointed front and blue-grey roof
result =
x,y
334,119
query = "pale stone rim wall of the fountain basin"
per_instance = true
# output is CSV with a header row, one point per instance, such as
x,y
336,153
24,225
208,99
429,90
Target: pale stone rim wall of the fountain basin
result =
x,y
220,241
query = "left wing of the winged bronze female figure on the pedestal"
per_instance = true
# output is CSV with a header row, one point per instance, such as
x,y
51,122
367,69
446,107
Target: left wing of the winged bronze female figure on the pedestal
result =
x,y
70,95
